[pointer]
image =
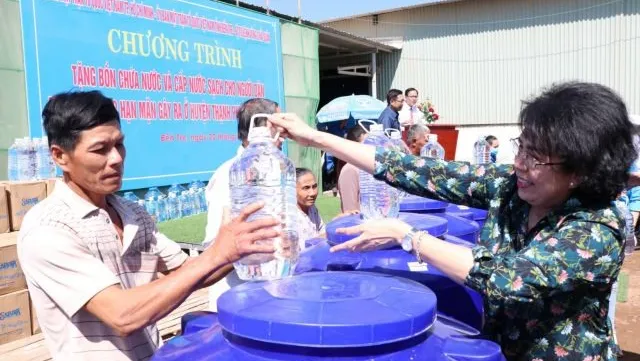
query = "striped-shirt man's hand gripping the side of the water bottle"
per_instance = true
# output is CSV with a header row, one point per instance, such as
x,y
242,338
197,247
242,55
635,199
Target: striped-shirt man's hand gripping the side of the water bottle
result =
x,y
237,238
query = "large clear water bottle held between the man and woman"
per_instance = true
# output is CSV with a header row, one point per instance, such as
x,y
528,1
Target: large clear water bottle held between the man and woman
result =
x,y
264,173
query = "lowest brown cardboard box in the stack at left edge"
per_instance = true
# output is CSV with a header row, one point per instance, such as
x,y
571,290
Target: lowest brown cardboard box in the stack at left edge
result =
x,y
15,317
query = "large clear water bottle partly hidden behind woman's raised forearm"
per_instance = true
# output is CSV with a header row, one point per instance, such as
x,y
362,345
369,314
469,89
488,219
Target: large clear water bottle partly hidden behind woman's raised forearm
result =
x,y
377,199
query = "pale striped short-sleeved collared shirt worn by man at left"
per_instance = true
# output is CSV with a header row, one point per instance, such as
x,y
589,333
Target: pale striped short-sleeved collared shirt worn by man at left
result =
x,y
70,251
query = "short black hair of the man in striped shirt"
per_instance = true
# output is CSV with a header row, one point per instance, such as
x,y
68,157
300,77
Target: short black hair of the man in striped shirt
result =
x,y
67,114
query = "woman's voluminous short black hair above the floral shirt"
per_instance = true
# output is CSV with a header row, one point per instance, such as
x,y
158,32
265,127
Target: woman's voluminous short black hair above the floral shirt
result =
x,y
587,126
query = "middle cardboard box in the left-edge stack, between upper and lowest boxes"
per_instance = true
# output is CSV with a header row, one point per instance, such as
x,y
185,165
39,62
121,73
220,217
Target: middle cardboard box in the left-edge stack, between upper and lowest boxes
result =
x,y
11,276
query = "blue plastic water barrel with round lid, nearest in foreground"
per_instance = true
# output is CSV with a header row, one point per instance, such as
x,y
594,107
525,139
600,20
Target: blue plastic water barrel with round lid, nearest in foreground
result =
x,y
349,316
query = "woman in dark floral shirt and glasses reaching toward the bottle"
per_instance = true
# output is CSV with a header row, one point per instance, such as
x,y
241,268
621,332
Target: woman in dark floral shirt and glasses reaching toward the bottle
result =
x,y
552,244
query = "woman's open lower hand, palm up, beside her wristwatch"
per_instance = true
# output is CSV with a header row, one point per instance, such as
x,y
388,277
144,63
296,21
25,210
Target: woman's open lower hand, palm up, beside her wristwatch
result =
x,y
373,235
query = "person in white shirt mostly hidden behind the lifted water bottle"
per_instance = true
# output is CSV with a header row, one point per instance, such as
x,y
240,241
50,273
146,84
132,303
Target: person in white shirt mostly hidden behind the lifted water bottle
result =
x,y
218,194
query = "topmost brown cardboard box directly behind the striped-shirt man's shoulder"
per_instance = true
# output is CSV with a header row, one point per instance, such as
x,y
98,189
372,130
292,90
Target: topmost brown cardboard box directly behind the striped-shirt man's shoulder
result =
x,y
22,197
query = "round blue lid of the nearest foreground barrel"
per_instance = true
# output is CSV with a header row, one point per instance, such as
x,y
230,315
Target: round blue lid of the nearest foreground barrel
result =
x,y
329,309
